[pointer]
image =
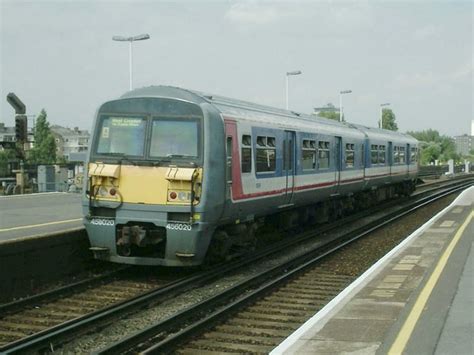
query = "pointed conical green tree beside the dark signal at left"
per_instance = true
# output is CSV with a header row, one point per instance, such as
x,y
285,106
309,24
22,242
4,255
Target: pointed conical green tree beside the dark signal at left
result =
x,y
44,151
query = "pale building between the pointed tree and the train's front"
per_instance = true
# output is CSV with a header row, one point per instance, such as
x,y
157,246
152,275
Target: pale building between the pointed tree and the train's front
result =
x,y
70,141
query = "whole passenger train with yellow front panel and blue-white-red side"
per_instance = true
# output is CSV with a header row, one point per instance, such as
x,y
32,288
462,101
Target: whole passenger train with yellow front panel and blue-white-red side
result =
x,y
177,177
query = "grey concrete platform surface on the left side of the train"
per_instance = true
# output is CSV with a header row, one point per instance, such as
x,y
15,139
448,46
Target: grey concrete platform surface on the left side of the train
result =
x,y
22,216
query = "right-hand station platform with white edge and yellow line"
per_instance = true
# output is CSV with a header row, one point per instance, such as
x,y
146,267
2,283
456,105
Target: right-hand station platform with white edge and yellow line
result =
x,y
418,299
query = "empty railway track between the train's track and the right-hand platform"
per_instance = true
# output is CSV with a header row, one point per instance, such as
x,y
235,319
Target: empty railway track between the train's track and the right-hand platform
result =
x,y
257,314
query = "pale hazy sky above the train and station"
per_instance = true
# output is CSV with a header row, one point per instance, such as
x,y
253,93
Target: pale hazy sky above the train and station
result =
x,y
415,55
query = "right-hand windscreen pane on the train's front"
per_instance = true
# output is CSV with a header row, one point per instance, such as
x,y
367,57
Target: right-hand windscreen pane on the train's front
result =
x,y
175,138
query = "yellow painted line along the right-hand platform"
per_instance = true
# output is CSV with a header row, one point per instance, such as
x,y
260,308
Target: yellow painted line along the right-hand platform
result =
x,y
401,341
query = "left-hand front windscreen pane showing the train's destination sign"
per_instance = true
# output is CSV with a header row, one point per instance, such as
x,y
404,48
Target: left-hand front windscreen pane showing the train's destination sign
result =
x,y
122,135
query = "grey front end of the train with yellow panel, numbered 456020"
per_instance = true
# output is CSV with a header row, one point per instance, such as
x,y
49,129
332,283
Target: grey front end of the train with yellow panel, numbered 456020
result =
x,y
137,207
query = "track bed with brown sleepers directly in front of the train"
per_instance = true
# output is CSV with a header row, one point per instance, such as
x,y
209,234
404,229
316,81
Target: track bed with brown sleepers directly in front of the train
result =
x,y
65,305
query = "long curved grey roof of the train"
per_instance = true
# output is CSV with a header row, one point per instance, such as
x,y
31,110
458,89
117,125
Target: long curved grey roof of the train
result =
x,y
267,114
